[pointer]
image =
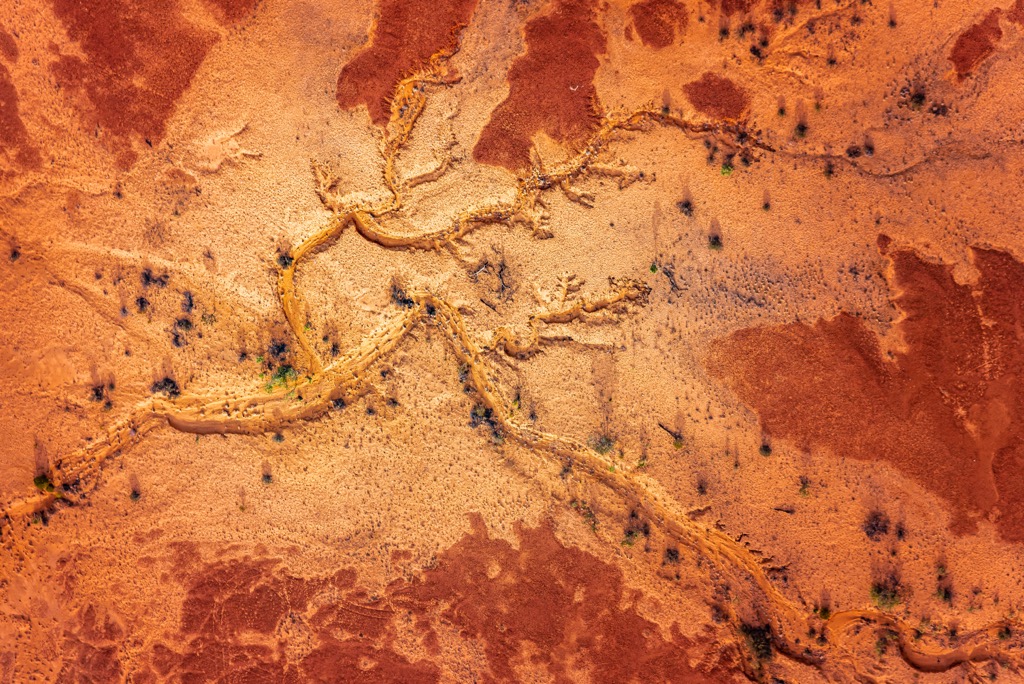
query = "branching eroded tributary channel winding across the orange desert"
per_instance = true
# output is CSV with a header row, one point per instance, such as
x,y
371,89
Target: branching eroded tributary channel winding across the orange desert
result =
x,y
795,630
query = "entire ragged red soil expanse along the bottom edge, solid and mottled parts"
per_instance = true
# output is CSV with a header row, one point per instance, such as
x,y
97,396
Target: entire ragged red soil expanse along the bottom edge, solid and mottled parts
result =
x,y
558,610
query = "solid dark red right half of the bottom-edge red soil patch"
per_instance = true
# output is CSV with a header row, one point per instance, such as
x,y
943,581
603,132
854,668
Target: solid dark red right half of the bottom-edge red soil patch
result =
x,y
534,598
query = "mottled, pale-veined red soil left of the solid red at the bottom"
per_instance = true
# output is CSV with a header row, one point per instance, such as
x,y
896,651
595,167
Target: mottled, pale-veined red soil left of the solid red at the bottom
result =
x,y
230,606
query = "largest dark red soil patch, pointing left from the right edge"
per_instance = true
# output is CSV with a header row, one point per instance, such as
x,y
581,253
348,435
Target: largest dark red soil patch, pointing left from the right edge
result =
x,y
943,412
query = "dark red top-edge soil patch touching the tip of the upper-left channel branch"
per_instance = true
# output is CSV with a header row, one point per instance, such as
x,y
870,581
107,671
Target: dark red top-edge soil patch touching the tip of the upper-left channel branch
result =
x,y
407,34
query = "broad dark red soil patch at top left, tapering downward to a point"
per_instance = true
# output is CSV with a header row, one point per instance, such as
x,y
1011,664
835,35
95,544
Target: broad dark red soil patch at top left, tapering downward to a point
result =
x,y
139,61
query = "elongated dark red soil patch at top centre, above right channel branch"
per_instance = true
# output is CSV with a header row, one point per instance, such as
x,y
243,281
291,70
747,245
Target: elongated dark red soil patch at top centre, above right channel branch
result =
x,y
550,88
